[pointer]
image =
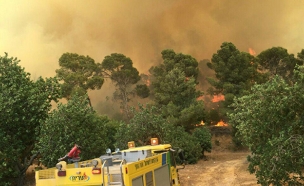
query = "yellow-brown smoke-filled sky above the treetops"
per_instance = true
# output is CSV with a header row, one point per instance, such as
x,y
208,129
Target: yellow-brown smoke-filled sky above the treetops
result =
x,y
39,32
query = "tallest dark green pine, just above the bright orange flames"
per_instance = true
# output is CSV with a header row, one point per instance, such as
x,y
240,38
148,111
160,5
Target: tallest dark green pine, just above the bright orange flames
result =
x,y
235,73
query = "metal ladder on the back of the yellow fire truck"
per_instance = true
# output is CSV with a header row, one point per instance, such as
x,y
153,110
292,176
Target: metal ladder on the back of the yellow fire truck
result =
x,y
114,173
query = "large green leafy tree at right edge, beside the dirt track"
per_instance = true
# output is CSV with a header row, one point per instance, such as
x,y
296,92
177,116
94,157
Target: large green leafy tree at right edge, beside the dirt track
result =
x,y
270,122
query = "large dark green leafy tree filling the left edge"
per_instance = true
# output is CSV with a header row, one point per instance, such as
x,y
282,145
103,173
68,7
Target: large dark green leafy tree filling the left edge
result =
x,y
24,105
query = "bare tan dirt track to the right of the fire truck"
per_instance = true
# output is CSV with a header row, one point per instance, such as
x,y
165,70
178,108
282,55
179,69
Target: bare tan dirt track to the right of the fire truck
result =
x,y
223,167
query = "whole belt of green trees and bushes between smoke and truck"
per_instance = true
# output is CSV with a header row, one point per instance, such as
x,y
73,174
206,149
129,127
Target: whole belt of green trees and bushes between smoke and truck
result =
x,y
259,96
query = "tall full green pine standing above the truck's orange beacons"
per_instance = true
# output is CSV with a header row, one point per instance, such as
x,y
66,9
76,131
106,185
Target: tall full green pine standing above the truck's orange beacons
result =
x,y
174,89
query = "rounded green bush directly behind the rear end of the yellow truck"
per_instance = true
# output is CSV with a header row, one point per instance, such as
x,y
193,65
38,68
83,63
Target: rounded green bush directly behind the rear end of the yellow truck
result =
x,y
74,122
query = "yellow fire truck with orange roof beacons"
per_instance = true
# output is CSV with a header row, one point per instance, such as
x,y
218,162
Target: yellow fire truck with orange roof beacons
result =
x,y
151,165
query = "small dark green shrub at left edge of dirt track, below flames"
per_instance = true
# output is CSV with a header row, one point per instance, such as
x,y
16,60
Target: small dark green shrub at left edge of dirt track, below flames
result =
x,y
203,136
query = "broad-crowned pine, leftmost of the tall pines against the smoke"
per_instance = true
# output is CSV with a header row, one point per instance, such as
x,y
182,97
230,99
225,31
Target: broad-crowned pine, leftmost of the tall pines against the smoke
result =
x,y
78,73
